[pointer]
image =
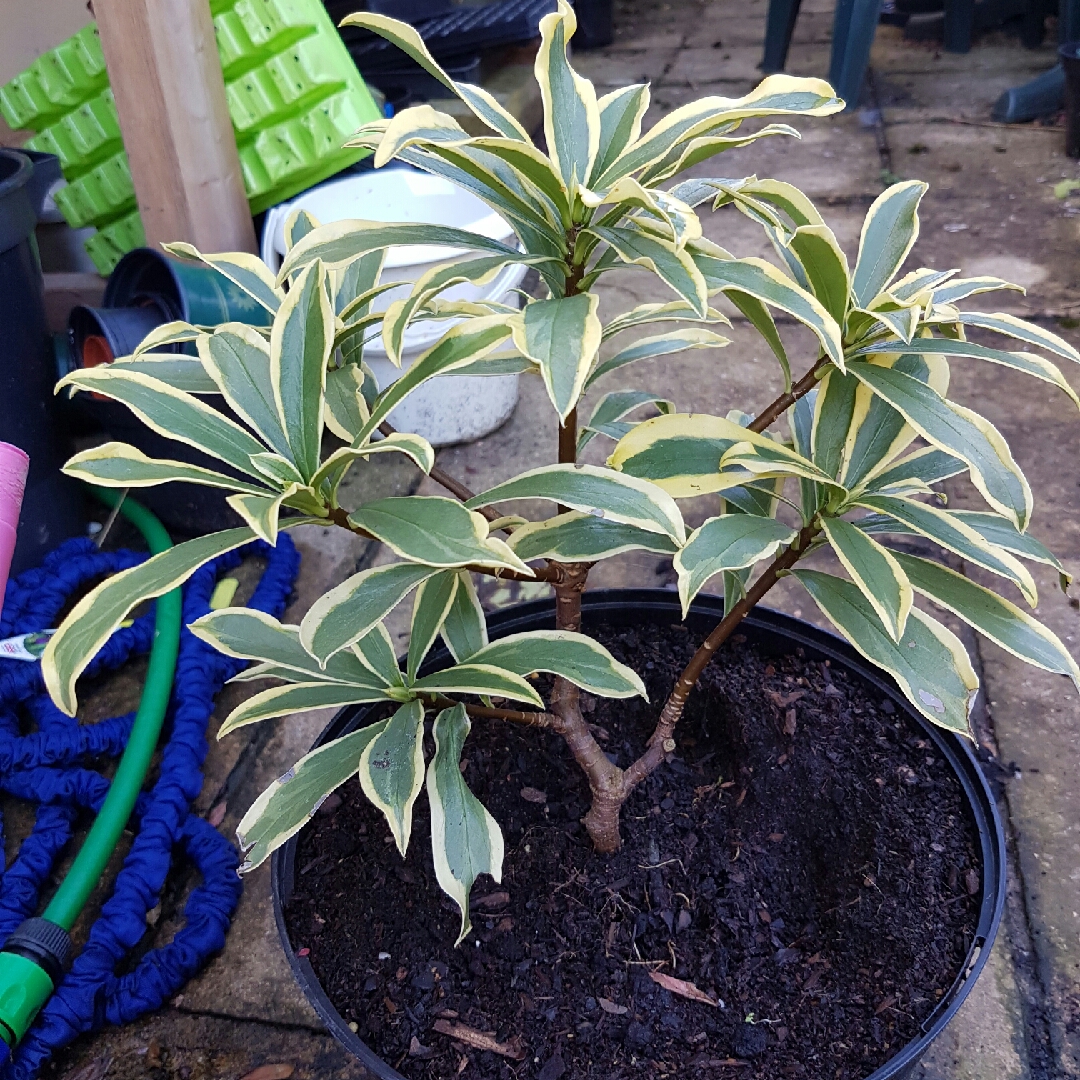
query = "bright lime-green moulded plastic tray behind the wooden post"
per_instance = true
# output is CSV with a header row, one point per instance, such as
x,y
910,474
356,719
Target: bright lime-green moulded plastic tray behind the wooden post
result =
x,y
294,97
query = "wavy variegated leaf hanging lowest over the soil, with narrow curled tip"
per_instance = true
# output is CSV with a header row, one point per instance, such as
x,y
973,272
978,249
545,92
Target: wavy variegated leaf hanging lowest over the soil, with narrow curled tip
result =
x,y
466,840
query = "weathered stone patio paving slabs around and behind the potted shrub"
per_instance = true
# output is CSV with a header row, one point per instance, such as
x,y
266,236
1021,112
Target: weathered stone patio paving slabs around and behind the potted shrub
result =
x,y
991,208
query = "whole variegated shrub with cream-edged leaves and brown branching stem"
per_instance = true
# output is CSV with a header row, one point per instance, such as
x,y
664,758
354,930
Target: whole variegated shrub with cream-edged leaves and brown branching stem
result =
x,y
870,434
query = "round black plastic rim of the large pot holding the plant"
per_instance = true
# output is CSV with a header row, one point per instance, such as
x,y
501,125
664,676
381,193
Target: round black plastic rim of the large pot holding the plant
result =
x,y
776,634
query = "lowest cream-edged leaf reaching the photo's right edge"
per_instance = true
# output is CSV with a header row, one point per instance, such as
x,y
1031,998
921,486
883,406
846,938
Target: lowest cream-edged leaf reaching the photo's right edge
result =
x,y
1003,623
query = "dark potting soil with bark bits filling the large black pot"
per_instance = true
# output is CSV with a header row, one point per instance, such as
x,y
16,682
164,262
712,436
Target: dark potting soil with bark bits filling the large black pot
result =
x,y
803,859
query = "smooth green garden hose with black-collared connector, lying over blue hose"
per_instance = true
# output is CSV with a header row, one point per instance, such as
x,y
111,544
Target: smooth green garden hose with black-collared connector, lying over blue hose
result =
x,y
35,957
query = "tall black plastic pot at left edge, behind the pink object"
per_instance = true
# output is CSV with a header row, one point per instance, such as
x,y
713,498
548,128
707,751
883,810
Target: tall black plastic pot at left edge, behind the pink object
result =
x,y
52,505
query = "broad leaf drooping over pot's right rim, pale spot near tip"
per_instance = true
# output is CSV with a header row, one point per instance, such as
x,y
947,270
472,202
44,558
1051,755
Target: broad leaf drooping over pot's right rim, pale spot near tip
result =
x,y
929,664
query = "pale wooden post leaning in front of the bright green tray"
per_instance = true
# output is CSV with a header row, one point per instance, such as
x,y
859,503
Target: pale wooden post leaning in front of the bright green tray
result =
x,y
167,79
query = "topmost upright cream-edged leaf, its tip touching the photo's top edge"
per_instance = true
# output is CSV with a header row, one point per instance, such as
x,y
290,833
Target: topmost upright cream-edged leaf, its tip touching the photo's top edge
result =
x,y
572,119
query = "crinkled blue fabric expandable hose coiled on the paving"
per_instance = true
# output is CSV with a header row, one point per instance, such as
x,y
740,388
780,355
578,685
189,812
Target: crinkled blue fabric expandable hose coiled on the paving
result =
x,y
44,767
